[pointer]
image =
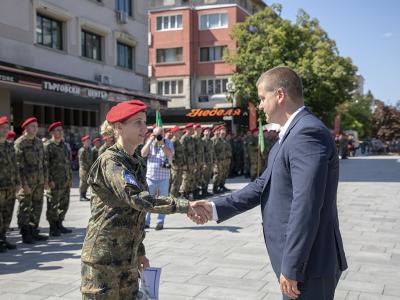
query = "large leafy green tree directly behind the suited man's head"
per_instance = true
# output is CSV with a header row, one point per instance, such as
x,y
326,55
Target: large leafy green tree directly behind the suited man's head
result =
x,y
265,40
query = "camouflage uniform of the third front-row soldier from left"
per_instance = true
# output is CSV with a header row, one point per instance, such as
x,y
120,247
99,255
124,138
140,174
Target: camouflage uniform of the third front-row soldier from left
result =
x,y
60,173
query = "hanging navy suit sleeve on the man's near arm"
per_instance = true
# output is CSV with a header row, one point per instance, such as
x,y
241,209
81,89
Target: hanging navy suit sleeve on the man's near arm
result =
x,y
308,159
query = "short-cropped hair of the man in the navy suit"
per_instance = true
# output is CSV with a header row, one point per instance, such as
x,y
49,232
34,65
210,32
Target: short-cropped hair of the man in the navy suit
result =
x,y
285,78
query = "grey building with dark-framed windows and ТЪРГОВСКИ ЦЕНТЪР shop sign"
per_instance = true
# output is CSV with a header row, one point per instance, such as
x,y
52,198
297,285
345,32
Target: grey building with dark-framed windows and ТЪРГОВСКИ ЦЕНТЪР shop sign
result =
x,y
71,61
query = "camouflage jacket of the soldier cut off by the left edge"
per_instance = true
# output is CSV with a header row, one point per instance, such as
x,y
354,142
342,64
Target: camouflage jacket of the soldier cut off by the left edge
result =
x,y
9,175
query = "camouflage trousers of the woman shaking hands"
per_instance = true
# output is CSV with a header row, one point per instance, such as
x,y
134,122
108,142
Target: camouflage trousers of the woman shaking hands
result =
x,y
105,282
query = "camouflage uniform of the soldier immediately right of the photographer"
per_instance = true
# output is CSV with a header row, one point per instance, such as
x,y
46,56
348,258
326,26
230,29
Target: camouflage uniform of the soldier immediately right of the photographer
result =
x,y
177,167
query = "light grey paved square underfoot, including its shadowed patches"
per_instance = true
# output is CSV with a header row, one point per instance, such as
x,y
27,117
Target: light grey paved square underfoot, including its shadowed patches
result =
x,y
229,261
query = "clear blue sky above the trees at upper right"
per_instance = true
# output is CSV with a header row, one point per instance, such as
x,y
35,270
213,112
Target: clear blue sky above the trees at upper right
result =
x,y
368,31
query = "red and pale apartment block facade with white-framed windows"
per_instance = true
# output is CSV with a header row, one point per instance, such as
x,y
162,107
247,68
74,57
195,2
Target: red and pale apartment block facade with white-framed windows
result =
x,y
187,43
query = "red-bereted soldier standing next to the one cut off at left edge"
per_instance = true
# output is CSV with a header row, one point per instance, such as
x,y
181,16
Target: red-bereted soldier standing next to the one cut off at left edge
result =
x,y
34,179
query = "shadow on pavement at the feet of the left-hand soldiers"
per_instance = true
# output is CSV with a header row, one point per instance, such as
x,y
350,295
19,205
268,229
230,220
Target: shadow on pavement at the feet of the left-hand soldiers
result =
x,y
30,257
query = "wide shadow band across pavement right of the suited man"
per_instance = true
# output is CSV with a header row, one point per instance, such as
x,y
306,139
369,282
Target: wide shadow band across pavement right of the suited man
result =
x,y
370,170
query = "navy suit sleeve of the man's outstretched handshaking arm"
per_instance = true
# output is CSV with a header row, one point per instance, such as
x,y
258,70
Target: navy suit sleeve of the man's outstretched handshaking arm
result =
x,y
240,201
